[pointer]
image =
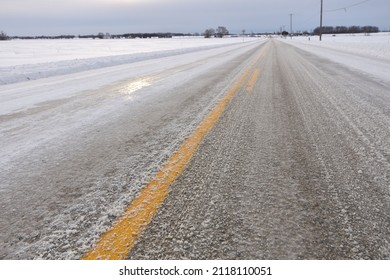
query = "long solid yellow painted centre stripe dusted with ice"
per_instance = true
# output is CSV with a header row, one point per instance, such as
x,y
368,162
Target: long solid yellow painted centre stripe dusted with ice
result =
x,y
116,243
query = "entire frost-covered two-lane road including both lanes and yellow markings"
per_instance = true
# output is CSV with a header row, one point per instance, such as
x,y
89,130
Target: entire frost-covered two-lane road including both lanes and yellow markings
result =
x,y
294,164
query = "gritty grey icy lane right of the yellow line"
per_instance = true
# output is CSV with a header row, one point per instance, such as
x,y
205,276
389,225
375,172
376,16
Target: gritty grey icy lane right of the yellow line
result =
x,y
296,168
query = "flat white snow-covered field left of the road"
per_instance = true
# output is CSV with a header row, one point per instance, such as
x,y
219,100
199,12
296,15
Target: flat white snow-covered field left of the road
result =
x,y
22,60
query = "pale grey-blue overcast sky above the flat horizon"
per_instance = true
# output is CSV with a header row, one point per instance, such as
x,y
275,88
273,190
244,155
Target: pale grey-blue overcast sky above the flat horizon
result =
x,y
55,17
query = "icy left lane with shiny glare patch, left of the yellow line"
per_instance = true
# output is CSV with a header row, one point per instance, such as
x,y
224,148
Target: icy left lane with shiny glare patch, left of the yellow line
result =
x,y
75,149
